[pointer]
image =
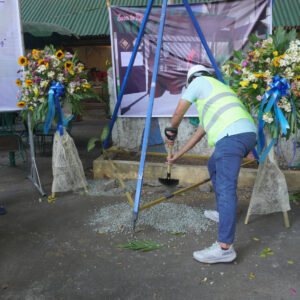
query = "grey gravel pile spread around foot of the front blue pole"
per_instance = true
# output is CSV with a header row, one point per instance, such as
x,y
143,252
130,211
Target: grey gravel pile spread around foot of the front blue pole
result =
x,y
168,217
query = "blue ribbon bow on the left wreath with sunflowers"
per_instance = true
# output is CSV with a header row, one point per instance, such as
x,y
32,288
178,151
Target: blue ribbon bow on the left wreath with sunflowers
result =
x,y
57,90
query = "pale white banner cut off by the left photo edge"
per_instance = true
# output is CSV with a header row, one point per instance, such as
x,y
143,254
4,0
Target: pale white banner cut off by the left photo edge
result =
x,y
10,50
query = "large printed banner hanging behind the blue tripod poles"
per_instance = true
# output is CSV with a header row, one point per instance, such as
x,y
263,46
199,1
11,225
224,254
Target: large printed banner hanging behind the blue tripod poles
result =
x,y
225,25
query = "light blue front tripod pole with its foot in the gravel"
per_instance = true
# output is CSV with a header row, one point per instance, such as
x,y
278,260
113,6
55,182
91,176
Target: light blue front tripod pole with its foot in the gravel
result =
x,y
149,115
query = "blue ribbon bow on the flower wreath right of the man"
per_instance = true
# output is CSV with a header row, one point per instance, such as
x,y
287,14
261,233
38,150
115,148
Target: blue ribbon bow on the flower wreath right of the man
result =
x,y
277,89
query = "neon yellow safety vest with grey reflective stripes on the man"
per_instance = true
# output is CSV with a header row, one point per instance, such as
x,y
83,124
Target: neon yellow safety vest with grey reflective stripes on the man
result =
x,y
219,110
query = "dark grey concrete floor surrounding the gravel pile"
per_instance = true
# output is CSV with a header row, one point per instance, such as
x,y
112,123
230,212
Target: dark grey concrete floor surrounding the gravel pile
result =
x,y
50,250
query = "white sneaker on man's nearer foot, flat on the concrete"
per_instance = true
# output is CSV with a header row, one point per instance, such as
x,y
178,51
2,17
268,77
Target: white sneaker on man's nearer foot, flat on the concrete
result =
x,y
215,254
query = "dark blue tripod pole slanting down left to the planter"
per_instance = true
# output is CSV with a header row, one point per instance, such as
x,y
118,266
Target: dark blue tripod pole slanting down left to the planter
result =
x,y
135,49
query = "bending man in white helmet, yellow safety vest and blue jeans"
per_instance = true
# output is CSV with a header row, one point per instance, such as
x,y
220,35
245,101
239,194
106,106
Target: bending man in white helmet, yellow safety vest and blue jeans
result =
x,y
230,128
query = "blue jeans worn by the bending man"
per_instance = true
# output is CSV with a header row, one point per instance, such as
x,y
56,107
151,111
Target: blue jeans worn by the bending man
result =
x,y
224,167
